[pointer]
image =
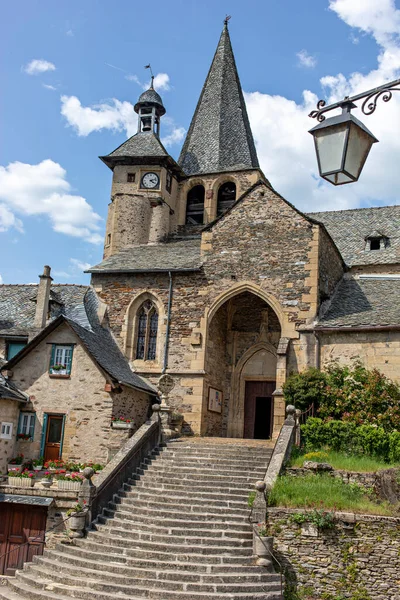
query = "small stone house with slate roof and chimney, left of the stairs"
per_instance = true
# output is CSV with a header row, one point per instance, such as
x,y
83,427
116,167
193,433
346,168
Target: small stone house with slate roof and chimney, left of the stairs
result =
x,y
65,384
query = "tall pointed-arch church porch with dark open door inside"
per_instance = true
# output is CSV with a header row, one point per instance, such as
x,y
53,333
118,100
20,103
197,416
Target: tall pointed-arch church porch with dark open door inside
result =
x,y
241,366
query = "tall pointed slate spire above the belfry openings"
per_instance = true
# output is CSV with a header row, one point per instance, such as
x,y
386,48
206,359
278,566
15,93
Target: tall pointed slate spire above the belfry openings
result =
x,y
219,137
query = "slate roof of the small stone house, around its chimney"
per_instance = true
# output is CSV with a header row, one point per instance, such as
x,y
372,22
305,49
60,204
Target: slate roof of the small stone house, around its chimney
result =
x,y
79,310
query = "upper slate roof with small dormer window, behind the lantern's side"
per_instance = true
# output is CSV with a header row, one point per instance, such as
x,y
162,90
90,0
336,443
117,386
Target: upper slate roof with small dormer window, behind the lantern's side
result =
x,y
350,228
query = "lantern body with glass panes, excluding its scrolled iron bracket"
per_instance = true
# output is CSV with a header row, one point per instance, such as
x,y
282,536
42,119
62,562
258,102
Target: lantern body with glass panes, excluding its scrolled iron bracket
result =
x,y
342,145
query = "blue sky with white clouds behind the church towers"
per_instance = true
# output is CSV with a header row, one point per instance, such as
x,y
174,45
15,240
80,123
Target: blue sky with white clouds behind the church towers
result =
x,y
60,114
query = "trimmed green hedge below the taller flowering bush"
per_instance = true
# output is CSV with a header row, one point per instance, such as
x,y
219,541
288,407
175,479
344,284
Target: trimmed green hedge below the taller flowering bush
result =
x,y
347,436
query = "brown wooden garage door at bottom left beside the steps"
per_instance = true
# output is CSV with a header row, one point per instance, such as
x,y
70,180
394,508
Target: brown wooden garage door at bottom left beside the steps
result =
x,y
22,529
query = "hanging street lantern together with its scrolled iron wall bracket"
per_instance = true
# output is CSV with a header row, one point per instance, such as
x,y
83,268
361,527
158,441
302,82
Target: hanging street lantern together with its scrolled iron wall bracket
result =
x,y
342,143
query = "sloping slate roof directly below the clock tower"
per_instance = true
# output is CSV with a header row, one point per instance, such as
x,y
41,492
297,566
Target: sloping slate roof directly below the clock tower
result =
x,y
172,256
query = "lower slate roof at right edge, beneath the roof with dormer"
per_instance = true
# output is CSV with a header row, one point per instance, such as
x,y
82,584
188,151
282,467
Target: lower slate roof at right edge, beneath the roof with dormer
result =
x,y
363,302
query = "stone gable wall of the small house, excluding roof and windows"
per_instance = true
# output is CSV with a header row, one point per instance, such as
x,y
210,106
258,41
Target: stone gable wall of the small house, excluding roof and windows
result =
x,y
82,398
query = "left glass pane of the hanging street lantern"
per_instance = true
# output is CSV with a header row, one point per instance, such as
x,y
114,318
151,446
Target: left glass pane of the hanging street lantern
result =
x,y
330,145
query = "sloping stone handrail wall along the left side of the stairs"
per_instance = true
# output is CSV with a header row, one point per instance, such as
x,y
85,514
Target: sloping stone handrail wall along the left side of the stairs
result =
x,y
123,465
